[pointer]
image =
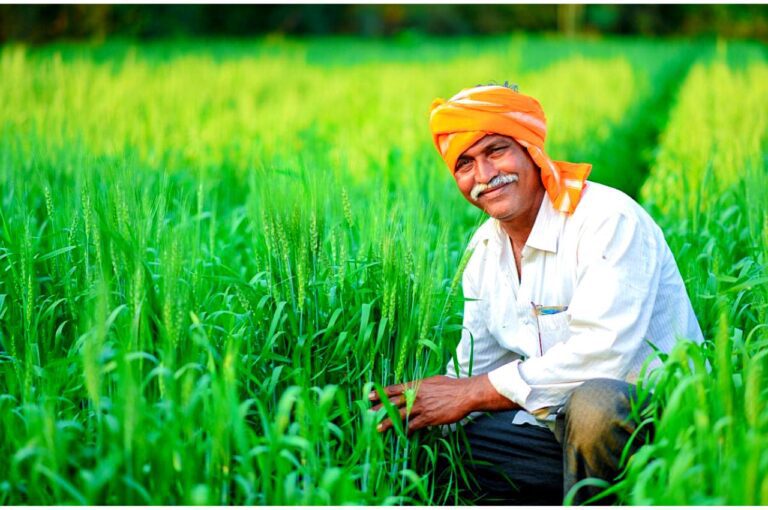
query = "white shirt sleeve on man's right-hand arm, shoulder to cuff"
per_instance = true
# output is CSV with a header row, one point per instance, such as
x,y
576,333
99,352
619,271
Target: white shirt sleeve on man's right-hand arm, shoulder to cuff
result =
x,y
617,278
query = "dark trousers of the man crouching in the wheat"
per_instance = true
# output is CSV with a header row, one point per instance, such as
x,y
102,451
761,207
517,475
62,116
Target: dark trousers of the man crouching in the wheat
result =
x,y
530,465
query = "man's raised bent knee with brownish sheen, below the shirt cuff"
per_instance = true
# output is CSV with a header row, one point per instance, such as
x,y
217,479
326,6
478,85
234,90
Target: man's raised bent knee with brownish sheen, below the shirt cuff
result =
x,y
597,409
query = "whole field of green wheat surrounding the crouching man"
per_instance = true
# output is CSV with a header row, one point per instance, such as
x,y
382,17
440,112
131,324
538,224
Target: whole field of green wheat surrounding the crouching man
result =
x,y
211,251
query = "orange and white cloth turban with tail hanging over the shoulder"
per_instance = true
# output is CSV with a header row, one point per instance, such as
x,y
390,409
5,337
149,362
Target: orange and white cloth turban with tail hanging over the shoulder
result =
x,y
457,124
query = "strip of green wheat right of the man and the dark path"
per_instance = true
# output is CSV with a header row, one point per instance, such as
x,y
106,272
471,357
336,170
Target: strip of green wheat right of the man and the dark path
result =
x,y
707,187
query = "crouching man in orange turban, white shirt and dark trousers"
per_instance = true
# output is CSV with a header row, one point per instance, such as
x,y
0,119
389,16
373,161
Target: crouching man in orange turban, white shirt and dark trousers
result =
x,y
568,285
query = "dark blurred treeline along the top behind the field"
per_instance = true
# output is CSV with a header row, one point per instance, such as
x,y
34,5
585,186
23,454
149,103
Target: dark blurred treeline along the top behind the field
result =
x,y
43,23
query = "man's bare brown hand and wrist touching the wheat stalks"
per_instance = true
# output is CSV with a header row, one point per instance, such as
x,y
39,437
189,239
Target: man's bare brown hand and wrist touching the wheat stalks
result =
x,y
440,400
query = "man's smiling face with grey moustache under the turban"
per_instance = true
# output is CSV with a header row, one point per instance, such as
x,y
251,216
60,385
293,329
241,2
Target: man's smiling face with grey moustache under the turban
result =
x,y
497,175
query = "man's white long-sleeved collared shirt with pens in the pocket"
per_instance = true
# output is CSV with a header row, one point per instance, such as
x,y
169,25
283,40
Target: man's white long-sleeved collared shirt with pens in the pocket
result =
x,y
609,264
